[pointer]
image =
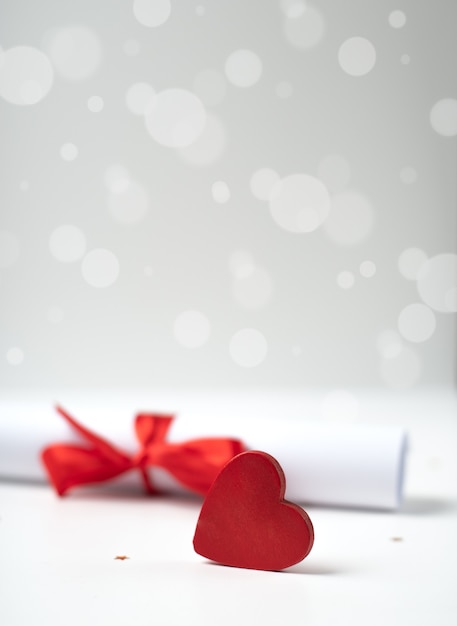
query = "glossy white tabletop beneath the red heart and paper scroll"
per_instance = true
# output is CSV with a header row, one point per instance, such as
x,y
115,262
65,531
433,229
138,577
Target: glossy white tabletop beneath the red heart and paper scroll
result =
x,y
58,566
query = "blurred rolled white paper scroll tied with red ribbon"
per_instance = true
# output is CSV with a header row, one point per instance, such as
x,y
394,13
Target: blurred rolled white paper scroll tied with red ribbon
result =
x,y
345,465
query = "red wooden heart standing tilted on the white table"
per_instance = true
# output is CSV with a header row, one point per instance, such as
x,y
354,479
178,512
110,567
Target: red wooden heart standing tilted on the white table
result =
x,y
245,521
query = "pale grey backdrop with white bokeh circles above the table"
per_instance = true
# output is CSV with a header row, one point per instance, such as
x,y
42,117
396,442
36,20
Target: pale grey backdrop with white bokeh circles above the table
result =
x,y
228,194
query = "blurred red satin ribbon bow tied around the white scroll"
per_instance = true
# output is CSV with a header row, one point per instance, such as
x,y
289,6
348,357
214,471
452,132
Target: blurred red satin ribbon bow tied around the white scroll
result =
x,y
195,463
